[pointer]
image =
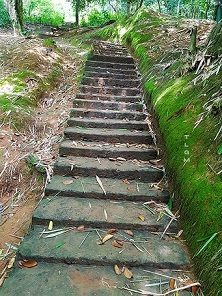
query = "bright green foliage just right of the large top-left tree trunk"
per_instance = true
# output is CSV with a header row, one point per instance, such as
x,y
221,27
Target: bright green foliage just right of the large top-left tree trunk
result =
x,y
42,12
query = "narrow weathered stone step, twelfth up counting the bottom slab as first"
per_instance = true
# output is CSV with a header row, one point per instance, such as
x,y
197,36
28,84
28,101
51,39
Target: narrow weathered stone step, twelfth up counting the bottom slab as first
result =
x,y
110,90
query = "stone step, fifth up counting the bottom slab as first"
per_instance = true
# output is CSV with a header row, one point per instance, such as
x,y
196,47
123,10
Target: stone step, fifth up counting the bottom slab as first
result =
x,y
86,166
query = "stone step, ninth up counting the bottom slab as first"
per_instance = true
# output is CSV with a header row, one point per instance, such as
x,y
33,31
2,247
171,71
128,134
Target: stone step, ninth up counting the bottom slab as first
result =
x,y
130,115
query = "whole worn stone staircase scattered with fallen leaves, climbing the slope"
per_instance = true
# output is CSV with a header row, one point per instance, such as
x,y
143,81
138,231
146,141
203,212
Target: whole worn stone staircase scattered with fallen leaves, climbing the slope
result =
x,y
105,172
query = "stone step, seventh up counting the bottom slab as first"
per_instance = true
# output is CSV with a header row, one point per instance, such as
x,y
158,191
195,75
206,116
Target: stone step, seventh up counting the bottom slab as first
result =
x,y
80,133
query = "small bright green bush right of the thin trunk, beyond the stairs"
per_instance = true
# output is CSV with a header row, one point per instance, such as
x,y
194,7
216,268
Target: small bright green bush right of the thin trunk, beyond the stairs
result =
x,y
97,18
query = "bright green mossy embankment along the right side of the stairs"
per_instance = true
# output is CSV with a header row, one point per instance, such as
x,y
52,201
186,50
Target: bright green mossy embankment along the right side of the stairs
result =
x,y
186,100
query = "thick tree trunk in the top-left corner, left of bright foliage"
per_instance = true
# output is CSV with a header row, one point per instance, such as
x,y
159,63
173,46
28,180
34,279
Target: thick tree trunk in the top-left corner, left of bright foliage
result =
x,y
15,10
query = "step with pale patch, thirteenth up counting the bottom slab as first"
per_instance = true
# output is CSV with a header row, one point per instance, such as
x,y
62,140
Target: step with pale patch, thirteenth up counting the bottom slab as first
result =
x,y
102,82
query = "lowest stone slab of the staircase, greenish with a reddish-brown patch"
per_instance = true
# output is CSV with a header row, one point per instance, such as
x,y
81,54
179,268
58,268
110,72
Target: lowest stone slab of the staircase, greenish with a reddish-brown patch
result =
x,y
56,279
